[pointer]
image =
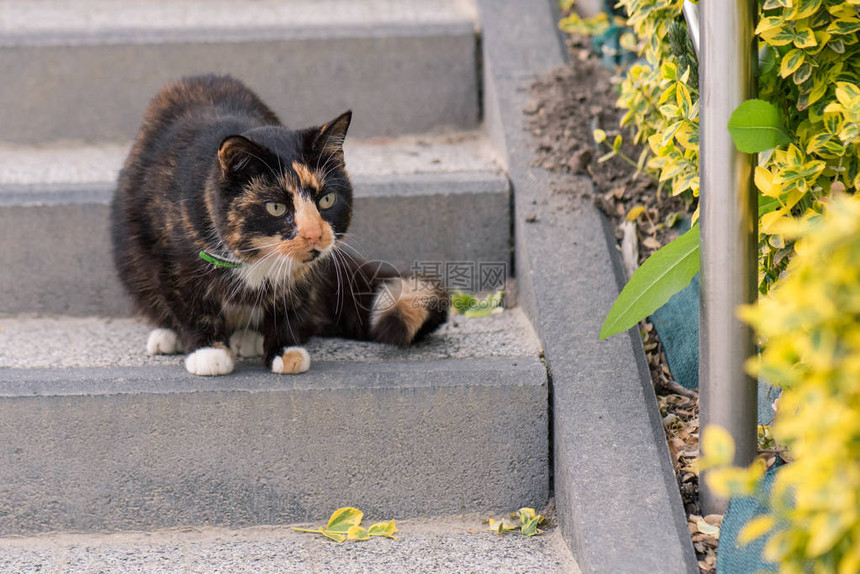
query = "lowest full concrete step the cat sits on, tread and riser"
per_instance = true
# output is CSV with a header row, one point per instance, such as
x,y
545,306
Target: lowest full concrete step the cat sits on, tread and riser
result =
x,y
96,436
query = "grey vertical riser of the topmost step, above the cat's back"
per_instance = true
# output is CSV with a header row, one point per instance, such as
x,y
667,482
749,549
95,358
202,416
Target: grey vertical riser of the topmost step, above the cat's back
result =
x,y
407,80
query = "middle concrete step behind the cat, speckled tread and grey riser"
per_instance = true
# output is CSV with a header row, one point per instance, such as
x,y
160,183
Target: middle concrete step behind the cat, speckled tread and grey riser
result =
x,y
428,198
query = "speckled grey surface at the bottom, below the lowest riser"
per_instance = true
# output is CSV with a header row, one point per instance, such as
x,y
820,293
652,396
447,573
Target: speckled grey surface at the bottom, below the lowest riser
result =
x,y
437,546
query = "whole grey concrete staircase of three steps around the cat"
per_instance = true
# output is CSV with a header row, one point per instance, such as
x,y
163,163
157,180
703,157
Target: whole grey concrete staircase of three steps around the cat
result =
x,y
95,436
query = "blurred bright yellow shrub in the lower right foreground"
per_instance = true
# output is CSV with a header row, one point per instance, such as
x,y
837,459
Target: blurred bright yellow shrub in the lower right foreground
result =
x,y
810,324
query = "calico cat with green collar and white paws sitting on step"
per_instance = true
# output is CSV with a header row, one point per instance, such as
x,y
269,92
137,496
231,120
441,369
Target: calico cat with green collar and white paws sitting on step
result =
x,y
224,219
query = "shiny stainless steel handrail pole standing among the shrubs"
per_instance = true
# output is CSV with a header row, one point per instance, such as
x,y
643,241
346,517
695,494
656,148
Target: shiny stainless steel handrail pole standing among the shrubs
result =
x,y
729,234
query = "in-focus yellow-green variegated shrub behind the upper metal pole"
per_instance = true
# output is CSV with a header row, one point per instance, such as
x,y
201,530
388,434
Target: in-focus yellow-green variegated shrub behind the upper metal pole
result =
x,y
809,68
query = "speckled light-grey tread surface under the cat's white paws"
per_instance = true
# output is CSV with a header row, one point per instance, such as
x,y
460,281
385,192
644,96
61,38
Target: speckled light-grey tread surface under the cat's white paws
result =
x,y
40,342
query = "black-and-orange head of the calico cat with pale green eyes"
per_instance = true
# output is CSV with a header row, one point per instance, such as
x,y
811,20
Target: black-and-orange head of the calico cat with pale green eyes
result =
x,y
284,197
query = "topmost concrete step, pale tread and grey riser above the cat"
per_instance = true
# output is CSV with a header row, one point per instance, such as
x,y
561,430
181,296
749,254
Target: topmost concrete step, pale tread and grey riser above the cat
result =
x,y
86,69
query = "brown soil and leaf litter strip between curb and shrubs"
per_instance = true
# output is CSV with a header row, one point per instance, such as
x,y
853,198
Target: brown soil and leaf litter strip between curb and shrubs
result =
x,y
566,107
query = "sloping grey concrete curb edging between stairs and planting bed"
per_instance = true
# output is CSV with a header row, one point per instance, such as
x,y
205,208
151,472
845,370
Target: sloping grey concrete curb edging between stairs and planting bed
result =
x,y
616,492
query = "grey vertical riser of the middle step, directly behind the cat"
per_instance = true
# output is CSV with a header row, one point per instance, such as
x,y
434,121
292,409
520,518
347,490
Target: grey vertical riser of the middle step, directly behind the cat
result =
x,y
57,258
